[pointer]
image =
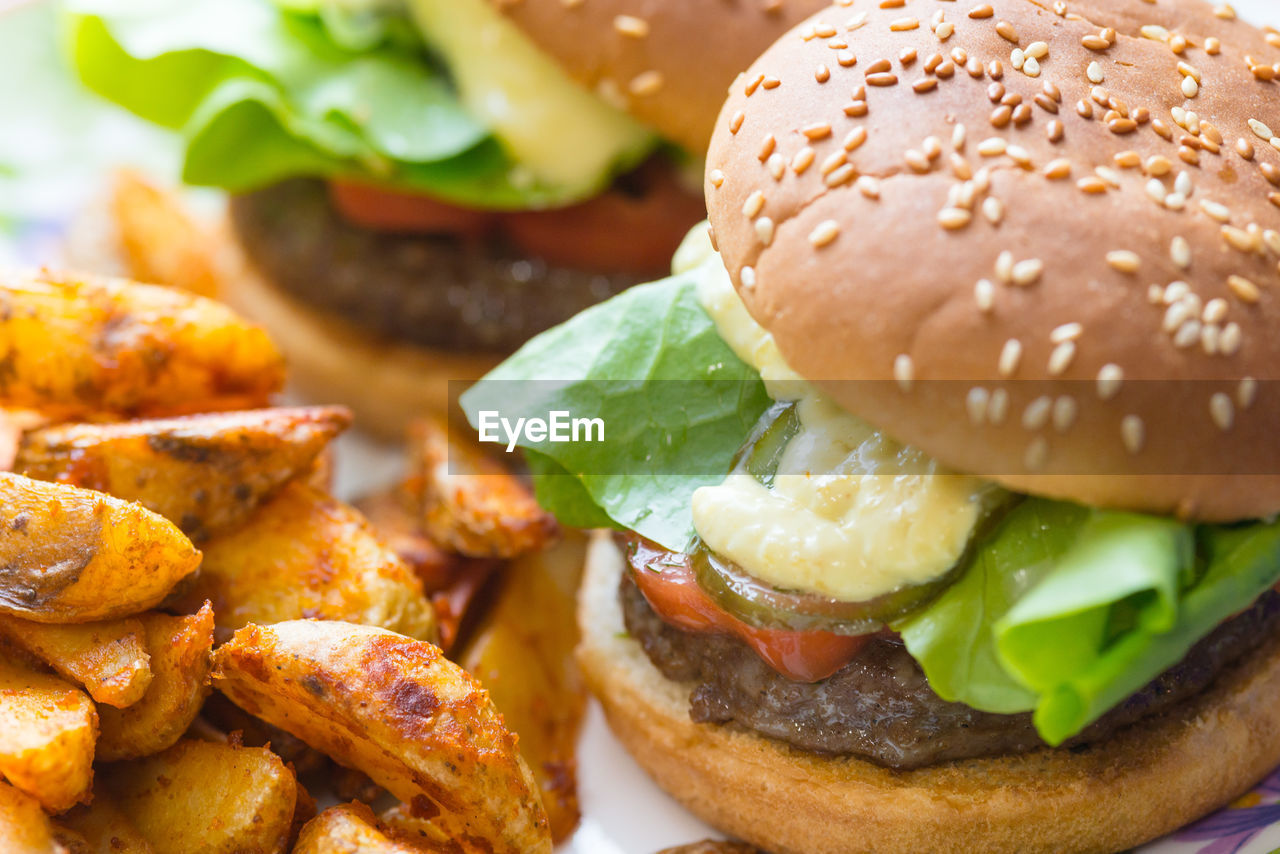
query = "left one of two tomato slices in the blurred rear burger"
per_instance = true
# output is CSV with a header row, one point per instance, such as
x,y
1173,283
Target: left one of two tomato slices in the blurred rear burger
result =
x,y
387,211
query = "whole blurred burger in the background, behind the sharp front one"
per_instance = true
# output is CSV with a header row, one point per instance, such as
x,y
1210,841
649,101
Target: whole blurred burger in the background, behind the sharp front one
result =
x,y
419,186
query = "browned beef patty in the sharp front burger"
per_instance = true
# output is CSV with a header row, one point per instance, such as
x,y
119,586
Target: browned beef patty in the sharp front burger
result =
x,y
880,706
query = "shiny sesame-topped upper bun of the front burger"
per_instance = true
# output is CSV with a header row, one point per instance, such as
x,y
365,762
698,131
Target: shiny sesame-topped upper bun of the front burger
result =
x,y
1078,194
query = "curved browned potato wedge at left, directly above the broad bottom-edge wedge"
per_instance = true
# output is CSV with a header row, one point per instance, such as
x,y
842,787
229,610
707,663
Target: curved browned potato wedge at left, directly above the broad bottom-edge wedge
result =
x,y
180,665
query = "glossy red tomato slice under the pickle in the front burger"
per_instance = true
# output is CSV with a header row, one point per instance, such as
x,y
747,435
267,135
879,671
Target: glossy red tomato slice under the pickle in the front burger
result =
x,y
668,582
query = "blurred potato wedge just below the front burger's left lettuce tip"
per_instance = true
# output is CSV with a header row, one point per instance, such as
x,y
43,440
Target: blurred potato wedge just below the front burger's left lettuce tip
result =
x,y
470,504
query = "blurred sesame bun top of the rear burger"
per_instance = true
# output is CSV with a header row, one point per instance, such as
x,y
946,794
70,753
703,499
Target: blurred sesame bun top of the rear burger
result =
x,y
666,62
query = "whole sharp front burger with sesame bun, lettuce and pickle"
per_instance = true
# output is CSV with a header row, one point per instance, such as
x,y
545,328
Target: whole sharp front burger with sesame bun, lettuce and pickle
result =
x,y
941,497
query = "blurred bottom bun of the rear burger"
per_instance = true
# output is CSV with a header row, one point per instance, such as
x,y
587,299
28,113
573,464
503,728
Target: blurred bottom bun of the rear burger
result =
x,y
387,385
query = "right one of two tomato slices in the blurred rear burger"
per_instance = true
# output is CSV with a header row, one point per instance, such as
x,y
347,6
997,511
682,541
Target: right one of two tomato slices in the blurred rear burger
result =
x,y
633,229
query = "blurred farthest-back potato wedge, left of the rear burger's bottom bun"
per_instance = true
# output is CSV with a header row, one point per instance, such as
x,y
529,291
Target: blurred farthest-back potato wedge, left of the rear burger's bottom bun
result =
x,y
161,243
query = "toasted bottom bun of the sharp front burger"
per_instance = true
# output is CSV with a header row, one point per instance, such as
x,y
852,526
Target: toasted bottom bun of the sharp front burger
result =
x,y
1141,784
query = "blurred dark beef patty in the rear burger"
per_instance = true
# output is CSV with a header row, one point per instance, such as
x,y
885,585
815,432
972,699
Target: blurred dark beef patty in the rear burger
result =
x,y
433,291
